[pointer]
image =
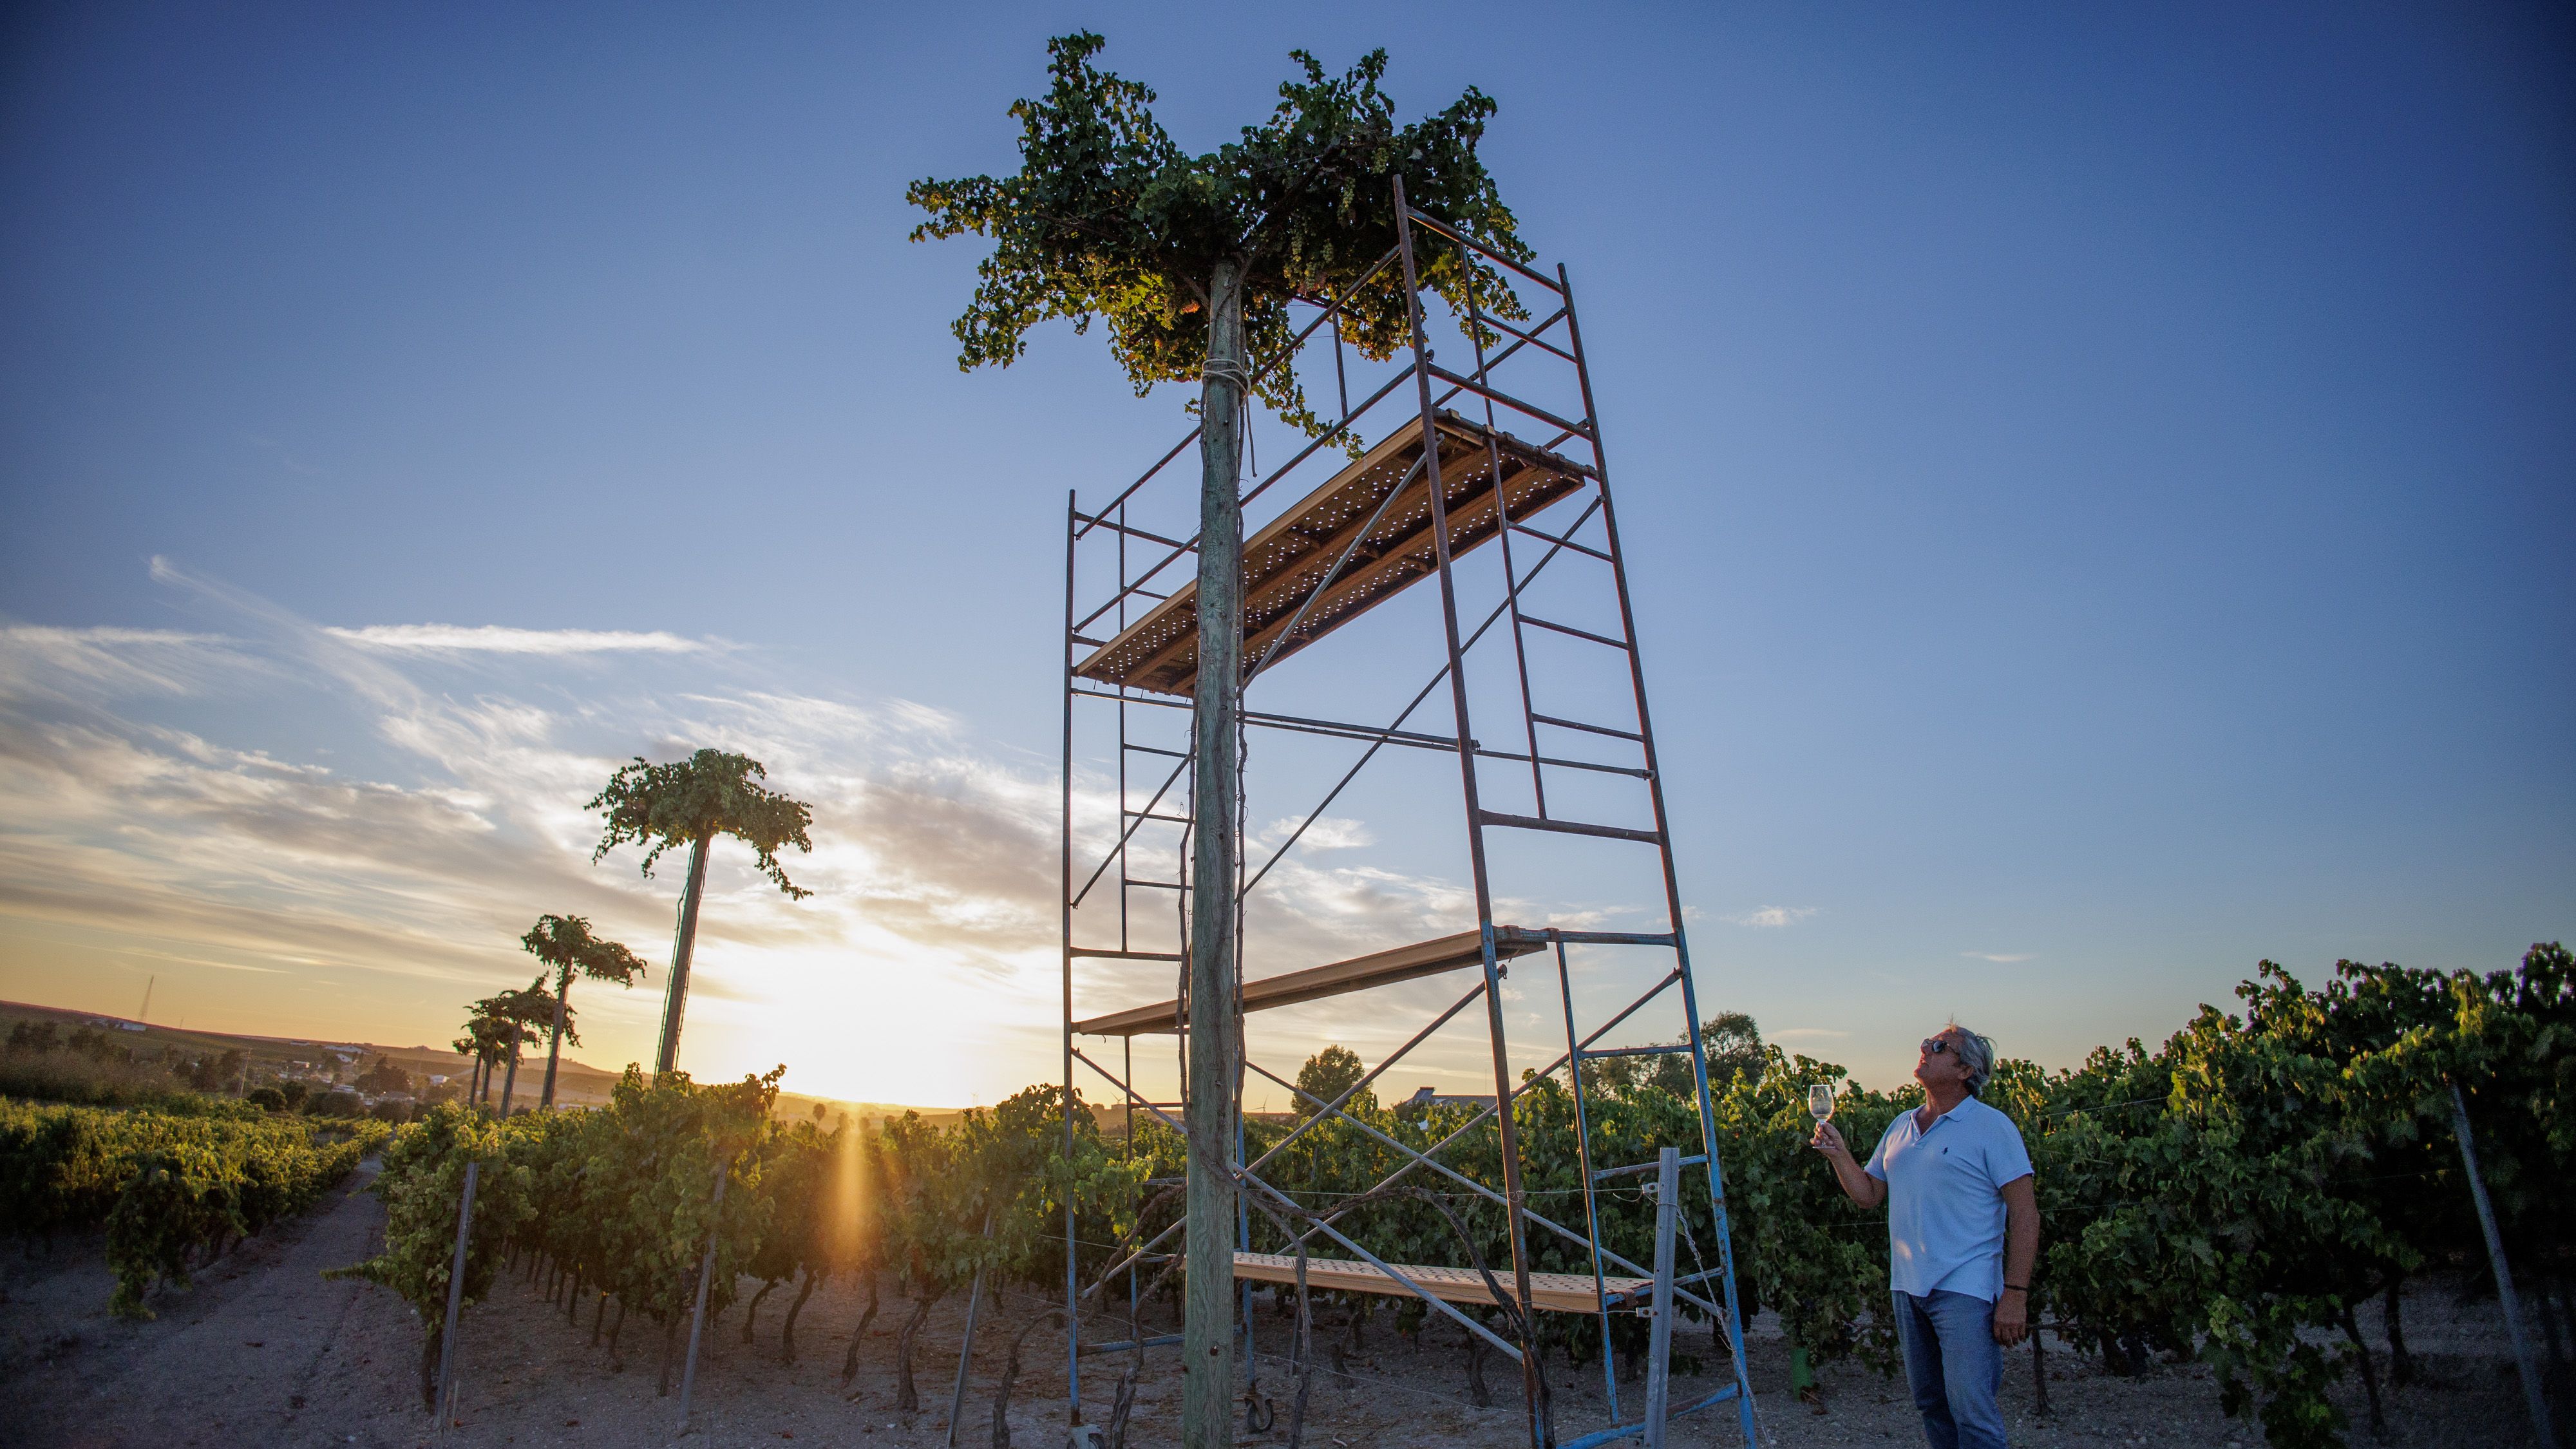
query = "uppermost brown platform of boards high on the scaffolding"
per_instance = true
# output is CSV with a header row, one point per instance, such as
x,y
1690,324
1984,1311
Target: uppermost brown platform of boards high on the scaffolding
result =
x,y
1289,556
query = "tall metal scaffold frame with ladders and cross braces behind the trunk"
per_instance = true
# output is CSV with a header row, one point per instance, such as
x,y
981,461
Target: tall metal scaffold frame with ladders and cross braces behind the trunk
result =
x,y
1436,486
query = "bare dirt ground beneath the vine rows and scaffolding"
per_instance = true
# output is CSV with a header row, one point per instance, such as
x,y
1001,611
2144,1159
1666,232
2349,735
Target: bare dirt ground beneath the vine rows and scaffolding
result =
x,y
267,1352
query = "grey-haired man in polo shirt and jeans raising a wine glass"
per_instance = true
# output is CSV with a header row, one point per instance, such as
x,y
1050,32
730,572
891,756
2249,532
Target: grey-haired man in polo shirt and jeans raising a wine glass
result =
x,y
1964,1234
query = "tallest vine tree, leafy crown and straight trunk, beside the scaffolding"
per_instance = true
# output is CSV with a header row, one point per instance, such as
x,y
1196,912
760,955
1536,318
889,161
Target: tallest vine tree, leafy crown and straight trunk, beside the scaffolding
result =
x,y
1194,262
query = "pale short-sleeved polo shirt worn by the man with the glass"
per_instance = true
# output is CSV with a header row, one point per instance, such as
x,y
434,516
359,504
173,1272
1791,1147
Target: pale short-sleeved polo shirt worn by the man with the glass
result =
x,y
1946,1211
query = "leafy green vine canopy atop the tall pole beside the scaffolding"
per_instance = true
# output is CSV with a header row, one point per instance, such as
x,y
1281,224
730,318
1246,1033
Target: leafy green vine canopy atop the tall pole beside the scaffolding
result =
x,y
1109,218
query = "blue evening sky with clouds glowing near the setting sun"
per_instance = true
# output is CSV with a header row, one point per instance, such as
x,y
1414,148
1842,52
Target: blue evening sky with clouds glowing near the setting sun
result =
x,y
2096,494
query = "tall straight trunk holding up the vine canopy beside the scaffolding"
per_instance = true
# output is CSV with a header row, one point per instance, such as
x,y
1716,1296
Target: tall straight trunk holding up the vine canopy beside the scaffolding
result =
x,y
1207,1406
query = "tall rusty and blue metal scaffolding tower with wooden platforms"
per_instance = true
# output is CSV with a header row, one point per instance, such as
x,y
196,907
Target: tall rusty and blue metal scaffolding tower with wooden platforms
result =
x,y
1575,795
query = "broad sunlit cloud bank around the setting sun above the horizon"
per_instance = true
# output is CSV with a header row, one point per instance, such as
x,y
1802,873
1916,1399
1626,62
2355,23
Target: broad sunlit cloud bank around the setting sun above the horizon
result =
x,y
140,834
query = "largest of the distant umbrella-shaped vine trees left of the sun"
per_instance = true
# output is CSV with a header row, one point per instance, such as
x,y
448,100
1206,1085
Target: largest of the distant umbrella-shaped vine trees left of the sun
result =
x,y
692,803
